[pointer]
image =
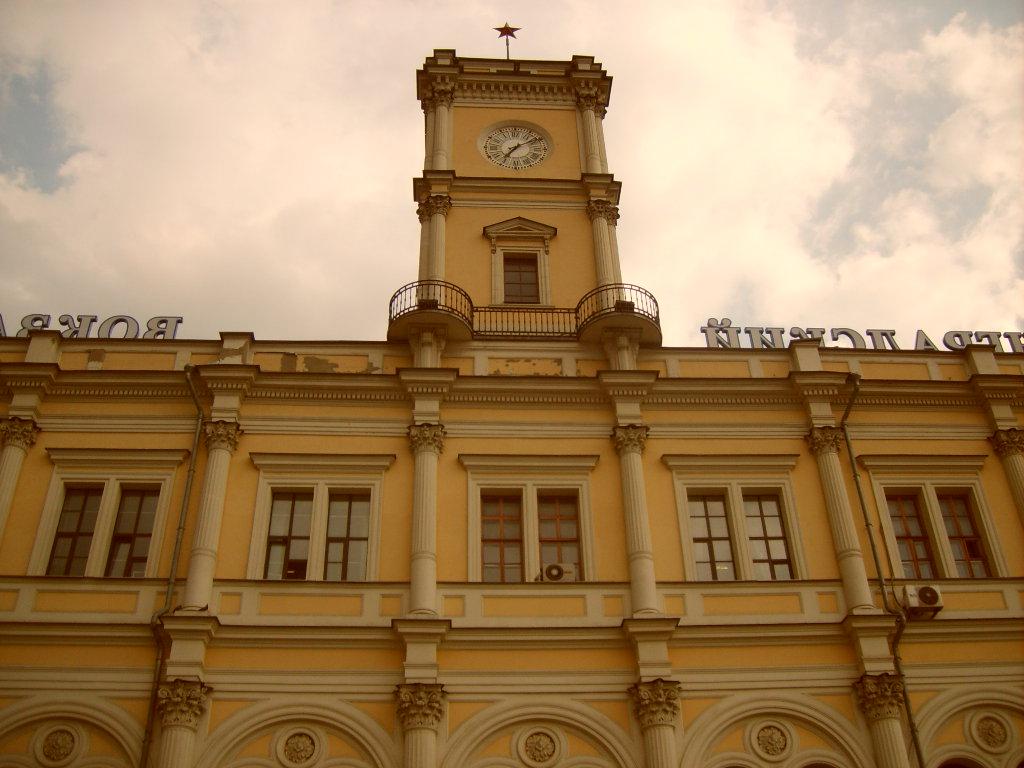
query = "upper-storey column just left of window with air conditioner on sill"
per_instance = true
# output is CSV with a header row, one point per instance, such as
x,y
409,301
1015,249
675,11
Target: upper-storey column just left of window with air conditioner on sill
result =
x,y
428,442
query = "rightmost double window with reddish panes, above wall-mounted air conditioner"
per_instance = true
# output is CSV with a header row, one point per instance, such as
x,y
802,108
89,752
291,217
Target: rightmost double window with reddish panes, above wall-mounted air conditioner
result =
x,y
934,518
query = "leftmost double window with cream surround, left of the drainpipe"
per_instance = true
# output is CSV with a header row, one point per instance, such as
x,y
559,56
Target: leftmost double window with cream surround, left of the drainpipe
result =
x,y
103,510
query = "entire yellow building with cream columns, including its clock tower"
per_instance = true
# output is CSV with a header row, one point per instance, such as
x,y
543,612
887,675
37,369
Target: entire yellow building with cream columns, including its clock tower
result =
x,y
519,533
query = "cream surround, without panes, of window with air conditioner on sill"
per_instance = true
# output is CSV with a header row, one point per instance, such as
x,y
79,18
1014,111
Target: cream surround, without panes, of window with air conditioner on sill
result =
x,y
530,476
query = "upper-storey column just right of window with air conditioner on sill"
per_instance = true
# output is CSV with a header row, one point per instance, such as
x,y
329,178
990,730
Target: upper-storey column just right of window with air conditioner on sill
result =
x,y
630,444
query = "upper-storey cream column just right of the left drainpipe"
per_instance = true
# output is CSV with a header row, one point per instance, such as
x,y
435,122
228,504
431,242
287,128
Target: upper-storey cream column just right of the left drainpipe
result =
x,y
222,440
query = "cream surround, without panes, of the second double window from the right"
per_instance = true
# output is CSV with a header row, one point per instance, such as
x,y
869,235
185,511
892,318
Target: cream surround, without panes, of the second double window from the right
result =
x,y
734,478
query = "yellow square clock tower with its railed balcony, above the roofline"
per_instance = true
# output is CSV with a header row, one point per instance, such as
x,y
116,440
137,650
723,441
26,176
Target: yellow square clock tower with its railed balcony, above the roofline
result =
x,y
518,209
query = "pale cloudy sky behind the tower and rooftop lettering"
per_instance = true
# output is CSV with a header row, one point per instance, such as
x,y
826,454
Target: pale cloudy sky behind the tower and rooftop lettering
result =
x,y
249,165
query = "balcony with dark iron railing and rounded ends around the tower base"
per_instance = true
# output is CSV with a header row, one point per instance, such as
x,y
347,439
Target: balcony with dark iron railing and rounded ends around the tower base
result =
x,y
435,303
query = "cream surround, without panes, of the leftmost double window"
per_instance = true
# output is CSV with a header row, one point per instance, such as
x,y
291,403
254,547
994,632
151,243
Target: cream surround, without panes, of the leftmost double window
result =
x,y
112,470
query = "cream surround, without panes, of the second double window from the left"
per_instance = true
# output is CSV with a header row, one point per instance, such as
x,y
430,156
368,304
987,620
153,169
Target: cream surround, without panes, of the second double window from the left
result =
x,y
321,474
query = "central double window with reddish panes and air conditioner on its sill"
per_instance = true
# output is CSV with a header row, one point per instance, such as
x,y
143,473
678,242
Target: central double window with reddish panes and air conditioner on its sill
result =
x,y
528,513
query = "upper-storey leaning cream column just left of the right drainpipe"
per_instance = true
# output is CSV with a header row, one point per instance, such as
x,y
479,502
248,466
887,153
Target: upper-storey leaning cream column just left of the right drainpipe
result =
x,y
825,443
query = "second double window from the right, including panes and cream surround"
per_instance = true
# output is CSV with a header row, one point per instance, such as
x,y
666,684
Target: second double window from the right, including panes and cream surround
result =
x,y
737,518
